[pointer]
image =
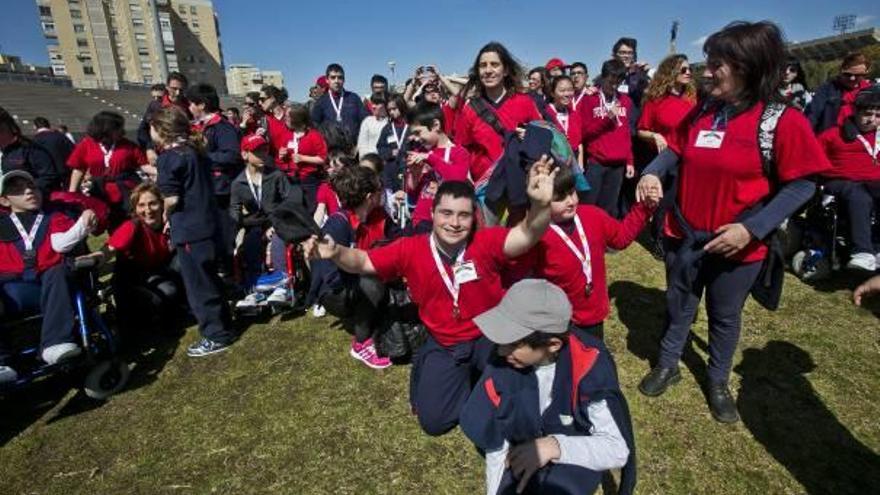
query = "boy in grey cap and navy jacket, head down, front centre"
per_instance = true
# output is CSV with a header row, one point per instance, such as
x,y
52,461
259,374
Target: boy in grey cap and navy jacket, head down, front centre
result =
x,y
548,411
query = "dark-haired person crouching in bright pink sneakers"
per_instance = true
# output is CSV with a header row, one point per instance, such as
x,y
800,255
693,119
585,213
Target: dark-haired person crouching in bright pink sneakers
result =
x,y
361,223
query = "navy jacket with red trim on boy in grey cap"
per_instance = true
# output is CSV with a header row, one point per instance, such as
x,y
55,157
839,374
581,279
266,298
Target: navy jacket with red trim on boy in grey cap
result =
x,y
504,404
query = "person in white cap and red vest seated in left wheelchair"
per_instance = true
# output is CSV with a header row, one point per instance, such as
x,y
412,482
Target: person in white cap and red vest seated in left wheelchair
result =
x,y
33,275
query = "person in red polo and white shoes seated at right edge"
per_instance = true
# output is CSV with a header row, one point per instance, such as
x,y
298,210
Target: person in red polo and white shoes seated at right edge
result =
x,y
854,179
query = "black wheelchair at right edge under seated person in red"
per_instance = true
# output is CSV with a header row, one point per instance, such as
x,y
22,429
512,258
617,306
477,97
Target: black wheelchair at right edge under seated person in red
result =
x,y
817,241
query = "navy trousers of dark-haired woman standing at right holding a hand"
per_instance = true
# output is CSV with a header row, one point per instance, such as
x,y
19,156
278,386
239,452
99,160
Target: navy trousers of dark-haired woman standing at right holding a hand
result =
x,y
727,284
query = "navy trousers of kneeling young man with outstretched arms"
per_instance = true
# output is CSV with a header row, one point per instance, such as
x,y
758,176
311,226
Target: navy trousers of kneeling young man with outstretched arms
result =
x,y
442,378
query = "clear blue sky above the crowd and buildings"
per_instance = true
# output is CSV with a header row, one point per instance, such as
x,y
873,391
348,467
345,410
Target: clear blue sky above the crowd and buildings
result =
x,y
300,38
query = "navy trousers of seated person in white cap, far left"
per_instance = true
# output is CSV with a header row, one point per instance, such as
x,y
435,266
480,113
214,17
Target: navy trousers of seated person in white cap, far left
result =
x,y
50,294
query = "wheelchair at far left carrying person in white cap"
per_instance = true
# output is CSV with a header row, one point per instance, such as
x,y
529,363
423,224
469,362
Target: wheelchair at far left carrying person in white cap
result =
x,y
105,373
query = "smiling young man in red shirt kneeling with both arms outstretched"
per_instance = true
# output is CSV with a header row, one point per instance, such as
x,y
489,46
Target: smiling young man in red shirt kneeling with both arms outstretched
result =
x,y
453,275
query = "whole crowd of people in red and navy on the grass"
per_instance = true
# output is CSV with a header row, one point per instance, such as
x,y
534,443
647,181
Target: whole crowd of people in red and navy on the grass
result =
x,y
494,198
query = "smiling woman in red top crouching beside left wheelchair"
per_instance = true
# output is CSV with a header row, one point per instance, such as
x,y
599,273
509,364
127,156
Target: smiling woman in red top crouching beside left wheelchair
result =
x,y
146,288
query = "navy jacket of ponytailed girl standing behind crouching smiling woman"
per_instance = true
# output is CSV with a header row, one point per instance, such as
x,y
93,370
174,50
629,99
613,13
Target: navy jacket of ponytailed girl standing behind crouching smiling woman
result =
x,y
185,174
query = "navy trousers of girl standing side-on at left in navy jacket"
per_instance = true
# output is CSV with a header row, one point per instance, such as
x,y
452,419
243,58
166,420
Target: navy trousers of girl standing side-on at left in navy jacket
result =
x,y
204,290
